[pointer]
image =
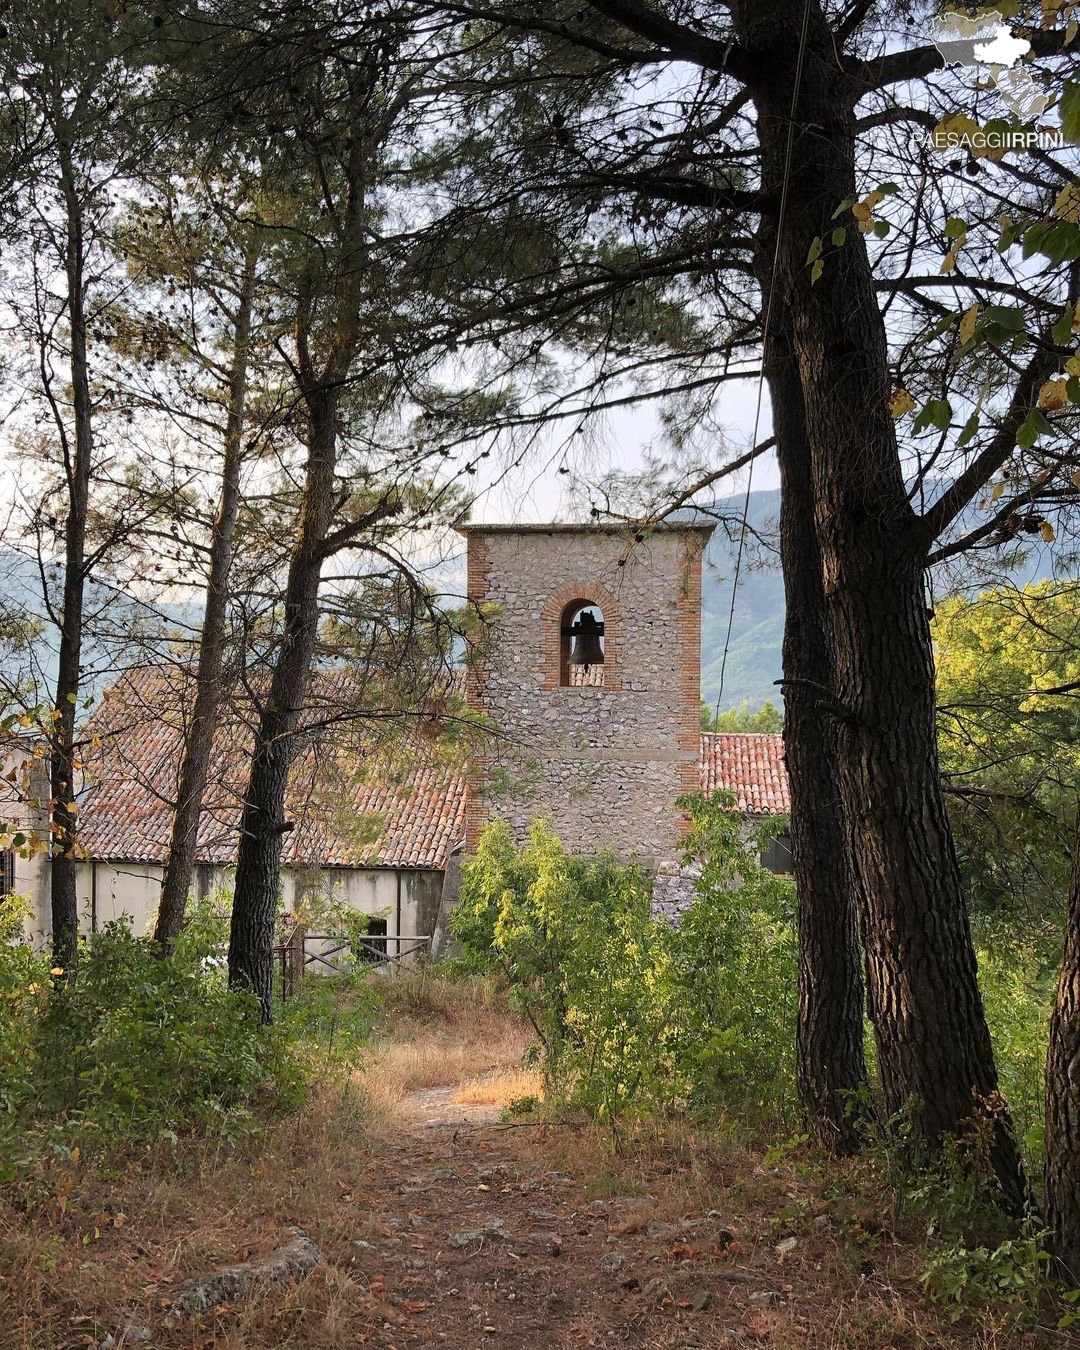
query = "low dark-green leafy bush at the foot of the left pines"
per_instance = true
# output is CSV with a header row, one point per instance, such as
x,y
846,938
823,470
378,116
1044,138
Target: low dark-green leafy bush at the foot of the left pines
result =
x,y
138,1050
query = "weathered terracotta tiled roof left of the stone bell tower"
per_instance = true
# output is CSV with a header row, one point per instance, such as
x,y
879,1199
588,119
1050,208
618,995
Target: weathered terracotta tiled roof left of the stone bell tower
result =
x,y
344,813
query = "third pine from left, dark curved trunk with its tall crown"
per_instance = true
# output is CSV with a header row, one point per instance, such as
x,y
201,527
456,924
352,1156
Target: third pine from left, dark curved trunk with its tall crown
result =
x,y
344,128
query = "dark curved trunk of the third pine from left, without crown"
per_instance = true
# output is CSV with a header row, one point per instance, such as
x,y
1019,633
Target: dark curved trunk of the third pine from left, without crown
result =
x,y
264,826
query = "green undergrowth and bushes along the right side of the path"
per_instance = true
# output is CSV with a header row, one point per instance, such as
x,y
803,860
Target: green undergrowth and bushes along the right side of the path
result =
x,y
639,1021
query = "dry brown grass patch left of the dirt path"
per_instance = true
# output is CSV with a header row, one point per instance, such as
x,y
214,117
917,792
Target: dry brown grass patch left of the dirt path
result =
x,y
125,1237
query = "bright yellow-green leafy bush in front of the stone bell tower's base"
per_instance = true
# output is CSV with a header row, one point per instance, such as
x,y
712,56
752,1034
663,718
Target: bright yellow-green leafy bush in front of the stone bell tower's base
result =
x,y
632,1015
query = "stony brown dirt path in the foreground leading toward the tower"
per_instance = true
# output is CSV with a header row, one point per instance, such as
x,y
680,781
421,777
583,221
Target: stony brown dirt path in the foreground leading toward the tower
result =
x,y
483,1241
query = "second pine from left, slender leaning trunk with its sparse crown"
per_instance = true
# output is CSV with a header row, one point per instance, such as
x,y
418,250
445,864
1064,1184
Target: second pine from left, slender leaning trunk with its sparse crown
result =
x,y
198,236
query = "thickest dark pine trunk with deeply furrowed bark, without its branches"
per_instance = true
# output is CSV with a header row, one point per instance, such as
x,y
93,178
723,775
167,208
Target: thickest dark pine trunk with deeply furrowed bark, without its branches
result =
x,y
934,1043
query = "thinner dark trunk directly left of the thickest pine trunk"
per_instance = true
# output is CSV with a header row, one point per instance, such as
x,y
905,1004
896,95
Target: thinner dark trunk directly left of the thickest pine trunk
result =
x,y
831,1066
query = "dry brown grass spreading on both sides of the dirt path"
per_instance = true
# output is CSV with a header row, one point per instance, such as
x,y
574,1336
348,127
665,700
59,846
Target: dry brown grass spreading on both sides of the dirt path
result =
x,y
122,1237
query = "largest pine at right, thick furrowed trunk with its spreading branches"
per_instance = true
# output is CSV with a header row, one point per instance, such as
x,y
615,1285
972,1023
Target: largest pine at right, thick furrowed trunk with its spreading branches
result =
x,y
770,114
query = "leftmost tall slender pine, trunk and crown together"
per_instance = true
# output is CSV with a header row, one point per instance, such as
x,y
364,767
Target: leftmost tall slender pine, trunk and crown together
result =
x,y
70,94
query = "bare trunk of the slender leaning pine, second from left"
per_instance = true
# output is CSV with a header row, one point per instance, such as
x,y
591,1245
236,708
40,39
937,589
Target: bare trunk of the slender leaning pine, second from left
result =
x,y
195,766
